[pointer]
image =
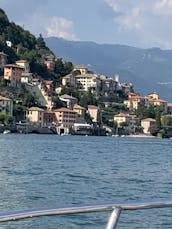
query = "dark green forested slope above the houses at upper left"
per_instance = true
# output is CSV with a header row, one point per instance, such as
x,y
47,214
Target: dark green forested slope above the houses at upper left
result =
x,y
27,46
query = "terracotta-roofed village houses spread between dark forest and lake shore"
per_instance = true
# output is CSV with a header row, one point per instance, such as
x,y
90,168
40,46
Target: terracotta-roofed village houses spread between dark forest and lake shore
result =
x,y
111,97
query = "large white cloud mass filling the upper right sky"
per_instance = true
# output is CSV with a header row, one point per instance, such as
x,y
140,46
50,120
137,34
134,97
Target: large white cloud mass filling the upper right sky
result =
x,y
148,21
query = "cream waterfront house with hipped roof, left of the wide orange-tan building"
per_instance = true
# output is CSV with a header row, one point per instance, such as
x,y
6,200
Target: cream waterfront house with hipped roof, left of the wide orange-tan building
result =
x,y
35,115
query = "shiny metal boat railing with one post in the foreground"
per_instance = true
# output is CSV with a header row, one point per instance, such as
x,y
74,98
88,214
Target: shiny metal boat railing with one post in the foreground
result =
x,y
116,209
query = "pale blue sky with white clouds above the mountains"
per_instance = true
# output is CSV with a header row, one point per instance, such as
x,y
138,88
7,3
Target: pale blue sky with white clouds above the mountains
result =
x,y
139,23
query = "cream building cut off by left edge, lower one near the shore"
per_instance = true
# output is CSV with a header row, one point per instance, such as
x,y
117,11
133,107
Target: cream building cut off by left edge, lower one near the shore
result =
x,y
6,105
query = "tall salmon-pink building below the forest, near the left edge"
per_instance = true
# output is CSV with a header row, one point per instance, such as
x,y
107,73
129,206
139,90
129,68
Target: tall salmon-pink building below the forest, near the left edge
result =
x,y
13,73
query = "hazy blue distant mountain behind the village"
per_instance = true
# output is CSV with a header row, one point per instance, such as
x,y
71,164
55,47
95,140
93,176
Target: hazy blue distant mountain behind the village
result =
x,y
147,69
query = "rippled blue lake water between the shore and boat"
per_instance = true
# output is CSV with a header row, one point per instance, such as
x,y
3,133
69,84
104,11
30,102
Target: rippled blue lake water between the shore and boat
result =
x,y
54,171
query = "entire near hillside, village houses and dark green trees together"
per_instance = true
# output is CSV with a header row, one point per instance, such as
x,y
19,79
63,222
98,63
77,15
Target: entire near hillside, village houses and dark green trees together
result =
x,y
49,95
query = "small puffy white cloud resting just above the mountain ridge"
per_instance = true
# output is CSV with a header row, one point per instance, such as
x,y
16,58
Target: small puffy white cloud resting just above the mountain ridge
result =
x,y
60,27
